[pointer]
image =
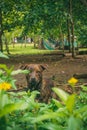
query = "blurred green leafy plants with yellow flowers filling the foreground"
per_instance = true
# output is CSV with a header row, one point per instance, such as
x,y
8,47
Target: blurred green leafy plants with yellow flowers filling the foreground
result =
x,y
22,111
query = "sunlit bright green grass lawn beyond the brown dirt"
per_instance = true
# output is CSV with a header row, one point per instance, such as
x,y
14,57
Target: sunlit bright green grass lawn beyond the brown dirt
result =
x,y
29,49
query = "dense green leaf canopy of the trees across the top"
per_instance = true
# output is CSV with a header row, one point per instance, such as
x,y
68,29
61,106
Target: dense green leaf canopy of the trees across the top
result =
x,y
43,17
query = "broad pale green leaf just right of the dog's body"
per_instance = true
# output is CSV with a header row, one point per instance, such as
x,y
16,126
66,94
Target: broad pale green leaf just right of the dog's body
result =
x,y
62,94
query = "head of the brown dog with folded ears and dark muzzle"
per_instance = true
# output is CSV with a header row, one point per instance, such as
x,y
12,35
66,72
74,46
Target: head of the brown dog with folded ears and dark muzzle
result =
x,y
34,77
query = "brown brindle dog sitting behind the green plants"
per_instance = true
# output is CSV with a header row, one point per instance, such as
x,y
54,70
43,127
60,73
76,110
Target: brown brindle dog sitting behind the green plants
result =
x,y
35,81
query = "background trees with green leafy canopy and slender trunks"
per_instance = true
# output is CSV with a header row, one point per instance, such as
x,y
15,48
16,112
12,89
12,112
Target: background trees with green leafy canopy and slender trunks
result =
x,y
55,20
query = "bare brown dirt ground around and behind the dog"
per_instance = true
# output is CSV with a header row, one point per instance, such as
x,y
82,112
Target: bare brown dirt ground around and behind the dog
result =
x,y
61,68
